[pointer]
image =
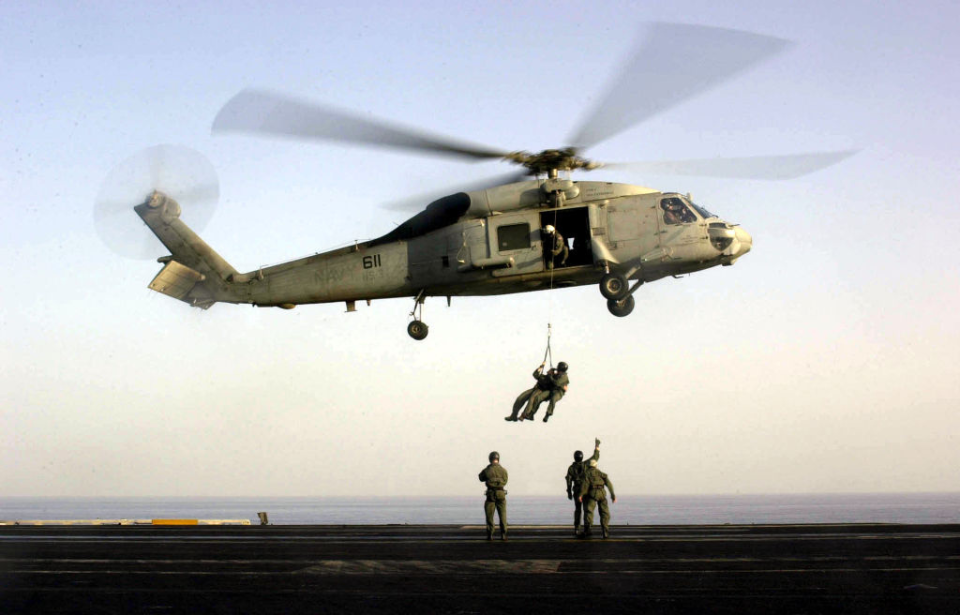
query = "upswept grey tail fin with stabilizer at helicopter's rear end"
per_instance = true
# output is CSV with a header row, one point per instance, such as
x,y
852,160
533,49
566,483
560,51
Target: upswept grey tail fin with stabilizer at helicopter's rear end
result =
x,y
194,273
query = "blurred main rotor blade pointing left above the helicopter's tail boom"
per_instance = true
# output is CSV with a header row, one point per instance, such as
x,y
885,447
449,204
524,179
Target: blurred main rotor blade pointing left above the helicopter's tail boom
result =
x,y
259,111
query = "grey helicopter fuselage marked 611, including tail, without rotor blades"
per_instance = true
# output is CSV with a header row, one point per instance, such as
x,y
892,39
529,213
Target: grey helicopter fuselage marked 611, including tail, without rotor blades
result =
x,y
486,242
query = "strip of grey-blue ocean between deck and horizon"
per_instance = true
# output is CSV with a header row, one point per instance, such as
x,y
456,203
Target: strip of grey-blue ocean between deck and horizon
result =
x,y
523,510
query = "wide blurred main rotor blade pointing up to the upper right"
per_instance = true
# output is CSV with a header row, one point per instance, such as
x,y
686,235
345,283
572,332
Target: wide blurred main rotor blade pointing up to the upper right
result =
x,y
674,62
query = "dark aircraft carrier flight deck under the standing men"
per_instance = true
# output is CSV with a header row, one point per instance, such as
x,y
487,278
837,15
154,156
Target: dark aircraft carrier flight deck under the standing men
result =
x,y
864,568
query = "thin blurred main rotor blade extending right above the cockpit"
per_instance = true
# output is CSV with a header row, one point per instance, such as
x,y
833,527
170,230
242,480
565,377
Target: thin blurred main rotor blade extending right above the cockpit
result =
x,y
752,167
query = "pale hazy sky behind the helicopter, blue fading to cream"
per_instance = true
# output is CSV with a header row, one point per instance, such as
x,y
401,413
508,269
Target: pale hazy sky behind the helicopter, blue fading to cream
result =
x,y
828,359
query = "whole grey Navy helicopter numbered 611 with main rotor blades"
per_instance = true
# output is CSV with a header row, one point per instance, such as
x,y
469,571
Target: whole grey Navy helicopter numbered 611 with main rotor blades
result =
x,y
491,241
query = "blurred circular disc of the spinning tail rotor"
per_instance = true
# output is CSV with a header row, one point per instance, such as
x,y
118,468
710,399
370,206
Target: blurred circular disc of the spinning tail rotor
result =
x,y
179,172
